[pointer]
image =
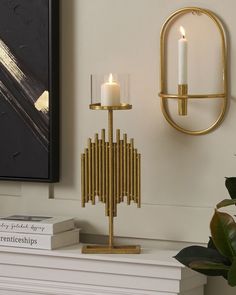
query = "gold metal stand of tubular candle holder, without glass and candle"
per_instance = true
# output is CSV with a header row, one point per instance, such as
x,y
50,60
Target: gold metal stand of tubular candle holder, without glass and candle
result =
x,y
111,171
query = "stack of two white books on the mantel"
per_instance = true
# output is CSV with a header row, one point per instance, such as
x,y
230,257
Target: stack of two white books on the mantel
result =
x,y
38,232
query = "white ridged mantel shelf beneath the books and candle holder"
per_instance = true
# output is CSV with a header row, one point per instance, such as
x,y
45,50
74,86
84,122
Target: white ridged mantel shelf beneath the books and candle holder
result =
x,y
68,272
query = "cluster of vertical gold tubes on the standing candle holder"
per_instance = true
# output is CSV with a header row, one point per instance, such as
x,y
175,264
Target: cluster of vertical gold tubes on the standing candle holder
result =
x,y
125,170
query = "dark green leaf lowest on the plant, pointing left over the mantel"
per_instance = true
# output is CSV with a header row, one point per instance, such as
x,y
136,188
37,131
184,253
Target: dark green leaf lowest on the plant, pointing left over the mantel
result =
x,y
192,254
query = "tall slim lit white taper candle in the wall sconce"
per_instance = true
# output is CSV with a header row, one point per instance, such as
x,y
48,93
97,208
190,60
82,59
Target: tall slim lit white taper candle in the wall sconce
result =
x,y
182,58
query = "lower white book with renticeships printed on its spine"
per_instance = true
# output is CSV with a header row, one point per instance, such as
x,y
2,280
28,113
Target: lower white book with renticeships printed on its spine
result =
x,y
49,242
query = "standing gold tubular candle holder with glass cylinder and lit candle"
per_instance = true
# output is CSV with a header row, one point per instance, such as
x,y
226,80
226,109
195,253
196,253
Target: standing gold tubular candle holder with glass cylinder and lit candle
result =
x,y
110,171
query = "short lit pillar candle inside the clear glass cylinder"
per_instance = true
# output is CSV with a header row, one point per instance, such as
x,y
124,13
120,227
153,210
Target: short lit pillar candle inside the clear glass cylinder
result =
x,y
110,93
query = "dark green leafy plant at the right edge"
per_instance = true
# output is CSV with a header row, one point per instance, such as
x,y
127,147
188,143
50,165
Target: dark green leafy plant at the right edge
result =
x,y
219,257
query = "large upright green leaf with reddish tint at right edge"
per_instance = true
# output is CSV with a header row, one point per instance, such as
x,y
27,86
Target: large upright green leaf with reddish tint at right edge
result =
x,y
223,231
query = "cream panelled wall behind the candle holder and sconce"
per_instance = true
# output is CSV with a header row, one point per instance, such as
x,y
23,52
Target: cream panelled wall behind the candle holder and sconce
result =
x,y
182,176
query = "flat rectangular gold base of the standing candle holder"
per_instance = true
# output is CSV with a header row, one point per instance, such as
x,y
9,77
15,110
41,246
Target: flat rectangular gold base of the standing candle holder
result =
x,y
106,249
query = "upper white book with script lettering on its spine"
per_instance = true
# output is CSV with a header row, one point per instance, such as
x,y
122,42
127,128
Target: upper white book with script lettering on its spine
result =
x,y
36,224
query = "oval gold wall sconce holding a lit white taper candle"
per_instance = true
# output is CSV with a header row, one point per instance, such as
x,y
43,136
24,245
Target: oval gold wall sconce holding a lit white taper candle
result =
x,y
183,96
